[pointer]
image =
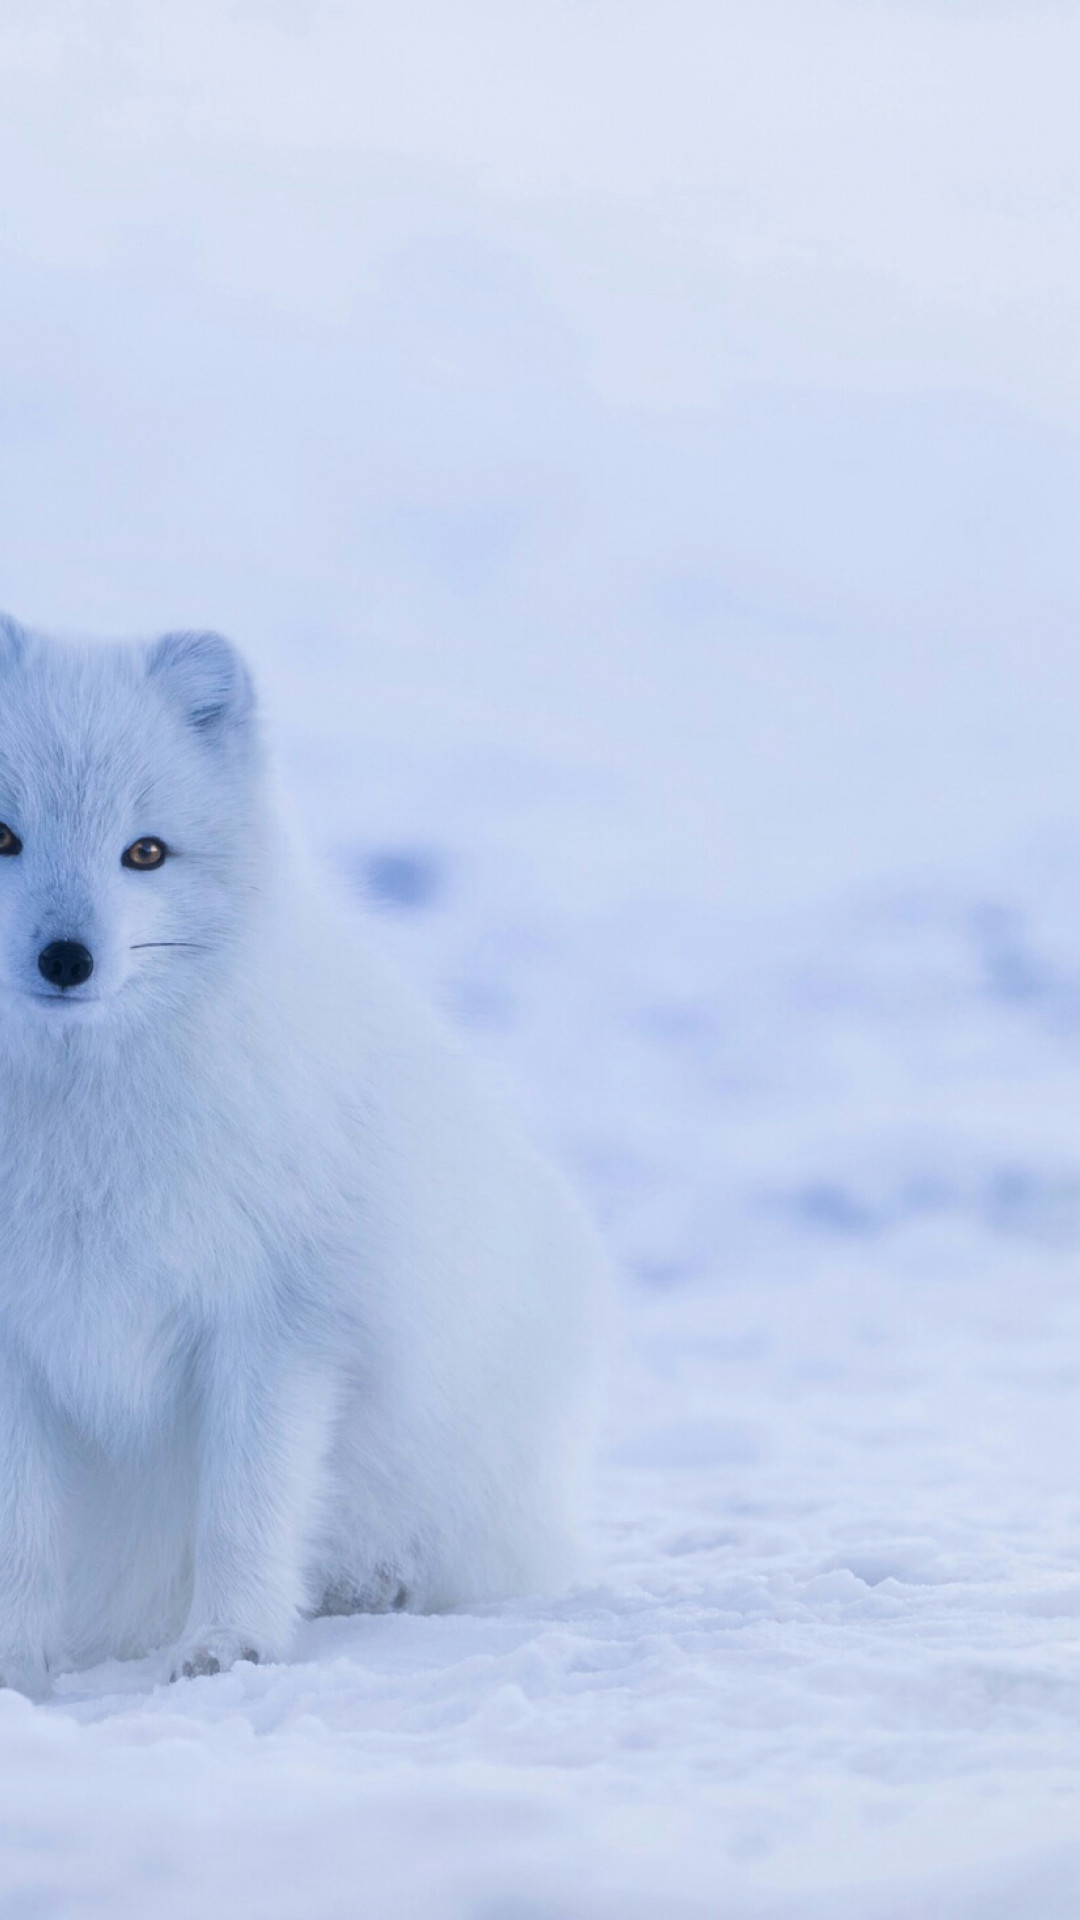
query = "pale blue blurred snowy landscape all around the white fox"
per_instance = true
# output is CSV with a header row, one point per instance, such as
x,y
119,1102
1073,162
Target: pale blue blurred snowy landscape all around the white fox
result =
x,y
639,446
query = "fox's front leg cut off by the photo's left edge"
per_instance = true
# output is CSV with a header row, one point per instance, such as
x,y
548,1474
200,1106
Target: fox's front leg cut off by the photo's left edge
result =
x,y
32,1587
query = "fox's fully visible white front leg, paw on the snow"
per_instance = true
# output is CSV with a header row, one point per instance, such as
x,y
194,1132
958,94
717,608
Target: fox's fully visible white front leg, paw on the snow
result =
x,y
264,1428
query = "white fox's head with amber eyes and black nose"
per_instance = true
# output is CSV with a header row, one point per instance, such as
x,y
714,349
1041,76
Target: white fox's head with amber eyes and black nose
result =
x,y
130,823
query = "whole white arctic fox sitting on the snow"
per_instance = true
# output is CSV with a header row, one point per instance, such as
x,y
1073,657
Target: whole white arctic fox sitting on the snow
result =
x,y
291,1322
